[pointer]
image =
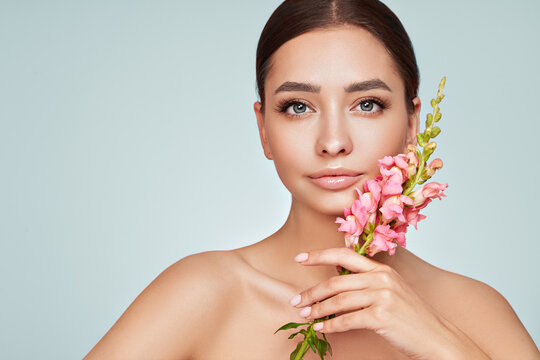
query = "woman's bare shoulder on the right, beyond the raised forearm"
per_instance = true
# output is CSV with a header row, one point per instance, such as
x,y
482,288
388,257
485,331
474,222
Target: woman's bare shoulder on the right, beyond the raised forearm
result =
x,y
484,315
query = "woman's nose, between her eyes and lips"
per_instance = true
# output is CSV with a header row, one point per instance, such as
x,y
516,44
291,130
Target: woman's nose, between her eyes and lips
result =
x,y
334,136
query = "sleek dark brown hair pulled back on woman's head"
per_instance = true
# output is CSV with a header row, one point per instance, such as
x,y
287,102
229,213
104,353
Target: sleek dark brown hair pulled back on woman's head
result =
x,y
295,17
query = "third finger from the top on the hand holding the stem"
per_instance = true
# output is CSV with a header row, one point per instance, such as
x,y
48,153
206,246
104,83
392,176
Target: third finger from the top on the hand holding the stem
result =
x,y
341,303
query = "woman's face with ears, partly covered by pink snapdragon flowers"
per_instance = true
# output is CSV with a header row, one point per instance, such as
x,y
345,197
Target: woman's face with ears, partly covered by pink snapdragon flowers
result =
x,y
333,99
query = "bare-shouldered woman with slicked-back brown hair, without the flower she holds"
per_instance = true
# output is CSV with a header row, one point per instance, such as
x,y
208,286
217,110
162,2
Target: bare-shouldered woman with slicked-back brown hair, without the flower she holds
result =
x,y
338,86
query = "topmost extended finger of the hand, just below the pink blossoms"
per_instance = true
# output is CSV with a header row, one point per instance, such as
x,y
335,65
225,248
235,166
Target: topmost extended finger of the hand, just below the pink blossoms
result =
x,y
343,256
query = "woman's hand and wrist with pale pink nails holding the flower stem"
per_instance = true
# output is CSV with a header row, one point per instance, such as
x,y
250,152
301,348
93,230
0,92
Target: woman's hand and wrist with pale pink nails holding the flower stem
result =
x,y
374,296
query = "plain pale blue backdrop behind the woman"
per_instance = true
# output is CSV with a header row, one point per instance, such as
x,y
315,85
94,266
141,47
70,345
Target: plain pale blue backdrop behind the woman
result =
x,y
128,141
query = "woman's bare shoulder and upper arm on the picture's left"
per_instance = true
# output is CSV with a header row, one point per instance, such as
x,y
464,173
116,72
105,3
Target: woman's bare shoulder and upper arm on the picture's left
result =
x,y
173,313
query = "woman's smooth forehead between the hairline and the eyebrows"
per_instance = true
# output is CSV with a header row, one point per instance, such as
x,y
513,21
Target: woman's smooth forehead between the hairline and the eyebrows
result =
x,y
333,58
